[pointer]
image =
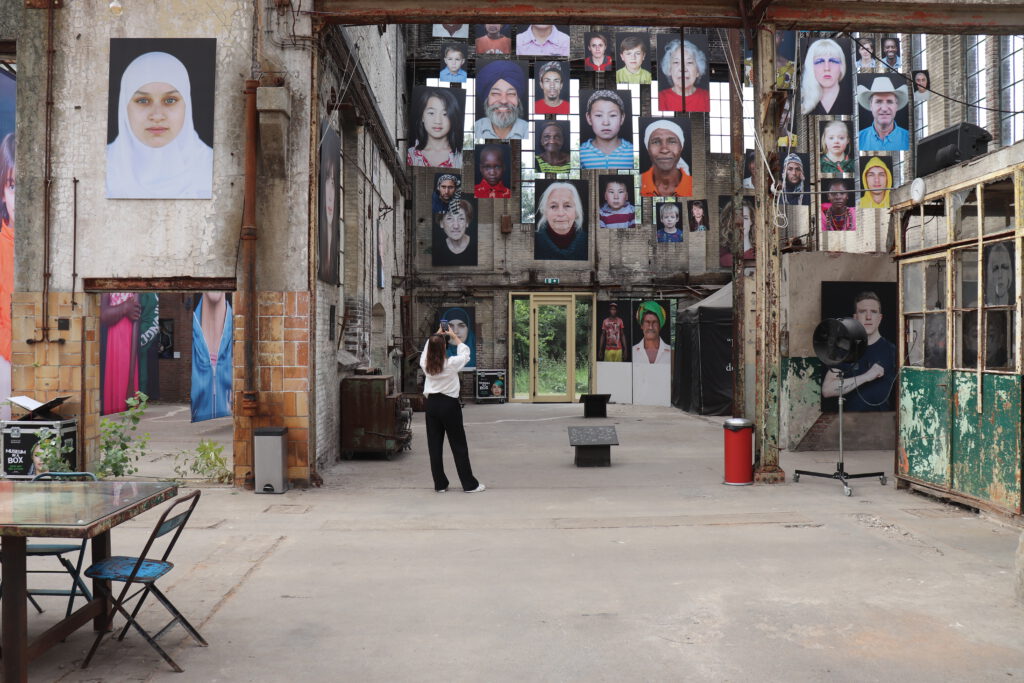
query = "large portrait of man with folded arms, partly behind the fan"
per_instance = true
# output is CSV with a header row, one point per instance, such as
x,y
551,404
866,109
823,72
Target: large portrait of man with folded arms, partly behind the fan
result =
x,y
867,385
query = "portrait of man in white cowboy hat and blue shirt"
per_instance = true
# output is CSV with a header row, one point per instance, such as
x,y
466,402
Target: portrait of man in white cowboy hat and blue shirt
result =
x,y
883,108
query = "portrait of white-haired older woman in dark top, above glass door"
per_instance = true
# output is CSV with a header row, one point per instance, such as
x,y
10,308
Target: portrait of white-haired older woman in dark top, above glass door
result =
x,y
562,221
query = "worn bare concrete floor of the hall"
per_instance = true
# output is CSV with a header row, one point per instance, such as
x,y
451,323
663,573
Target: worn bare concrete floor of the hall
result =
x,y
648,571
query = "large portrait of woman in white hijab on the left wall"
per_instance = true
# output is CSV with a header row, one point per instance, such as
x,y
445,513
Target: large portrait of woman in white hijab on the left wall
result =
x,y
157,152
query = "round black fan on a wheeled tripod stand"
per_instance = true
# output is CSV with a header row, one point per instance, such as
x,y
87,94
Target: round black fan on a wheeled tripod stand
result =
x,y
840,341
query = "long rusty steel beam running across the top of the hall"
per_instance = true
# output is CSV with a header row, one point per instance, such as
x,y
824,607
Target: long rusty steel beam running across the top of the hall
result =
x,y
989,17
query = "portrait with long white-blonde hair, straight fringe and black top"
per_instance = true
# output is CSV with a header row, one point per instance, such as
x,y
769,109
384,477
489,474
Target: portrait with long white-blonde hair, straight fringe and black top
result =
x,y
827,81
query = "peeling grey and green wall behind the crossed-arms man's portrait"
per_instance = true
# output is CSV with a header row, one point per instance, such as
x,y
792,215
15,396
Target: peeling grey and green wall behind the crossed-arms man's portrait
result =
x,y
802,425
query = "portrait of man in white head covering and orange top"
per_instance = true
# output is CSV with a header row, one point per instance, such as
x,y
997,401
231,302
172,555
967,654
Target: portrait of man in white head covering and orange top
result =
x,y
669,175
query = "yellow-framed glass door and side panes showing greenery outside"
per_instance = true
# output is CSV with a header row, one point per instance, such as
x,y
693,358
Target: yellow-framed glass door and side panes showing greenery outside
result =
x,y
552,351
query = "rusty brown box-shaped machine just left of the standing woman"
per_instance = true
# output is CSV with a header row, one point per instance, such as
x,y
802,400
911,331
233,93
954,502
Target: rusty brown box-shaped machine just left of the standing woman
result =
x,y
374,418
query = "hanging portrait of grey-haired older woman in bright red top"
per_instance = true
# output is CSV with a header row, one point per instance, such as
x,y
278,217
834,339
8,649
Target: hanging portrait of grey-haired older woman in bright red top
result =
x,y
682,74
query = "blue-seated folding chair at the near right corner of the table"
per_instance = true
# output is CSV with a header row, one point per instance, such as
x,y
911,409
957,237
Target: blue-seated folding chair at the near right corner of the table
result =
x,y
145,572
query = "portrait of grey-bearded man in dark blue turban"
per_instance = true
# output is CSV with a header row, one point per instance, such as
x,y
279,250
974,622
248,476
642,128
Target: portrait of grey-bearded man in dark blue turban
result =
x,y
501,90
